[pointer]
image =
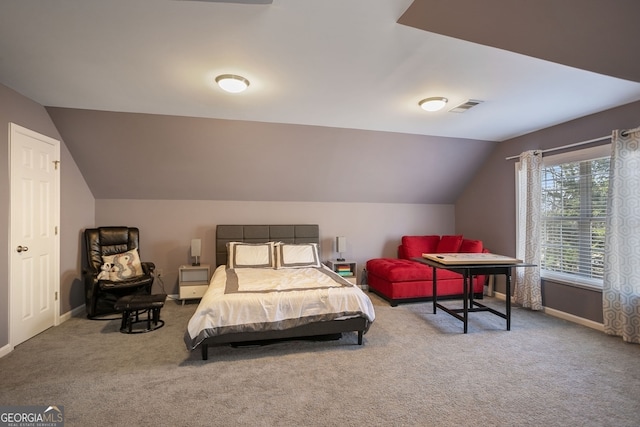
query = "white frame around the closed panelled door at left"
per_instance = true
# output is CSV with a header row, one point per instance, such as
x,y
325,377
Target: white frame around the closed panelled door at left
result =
x,y
17,129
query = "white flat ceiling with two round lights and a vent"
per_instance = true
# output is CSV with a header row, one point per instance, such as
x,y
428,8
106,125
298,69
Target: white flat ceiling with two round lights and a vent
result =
x,y
335,63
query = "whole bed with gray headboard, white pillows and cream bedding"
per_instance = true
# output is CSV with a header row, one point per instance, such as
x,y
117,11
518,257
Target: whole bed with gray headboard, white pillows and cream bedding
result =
x,y
269,284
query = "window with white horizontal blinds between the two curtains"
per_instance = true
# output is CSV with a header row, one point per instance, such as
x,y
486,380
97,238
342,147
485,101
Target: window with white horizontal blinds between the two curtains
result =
x,y
573,209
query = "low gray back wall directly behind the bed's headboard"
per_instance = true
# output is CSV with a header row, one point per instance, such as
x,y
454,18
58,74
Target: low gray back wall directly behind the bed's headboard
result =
x,y
167,226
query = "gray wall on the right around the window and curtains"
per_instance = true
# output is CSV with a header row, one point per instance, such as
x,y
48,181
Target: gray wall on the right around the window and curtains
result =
x,y
486,209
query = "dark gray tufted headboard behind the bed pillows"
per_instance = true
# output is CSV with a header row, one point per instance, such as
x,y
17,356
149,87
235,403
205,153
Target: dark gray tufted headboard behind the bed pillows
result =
x,y
296,233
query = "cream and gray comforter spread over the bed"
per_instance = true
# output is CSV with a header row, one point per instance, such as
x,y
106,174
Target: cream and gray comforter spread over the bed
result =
x,y
263,299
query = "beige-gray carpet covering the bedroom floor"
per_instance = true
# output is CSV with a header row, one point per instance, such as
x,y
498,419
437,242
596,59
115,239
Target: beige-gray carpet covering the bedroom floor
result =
x,y
415,369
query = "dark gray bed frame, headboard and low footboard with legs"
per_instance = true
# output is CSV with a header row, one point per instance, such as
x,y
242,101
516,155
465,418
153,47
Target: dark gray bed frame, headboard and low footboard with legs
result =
x,y
301,233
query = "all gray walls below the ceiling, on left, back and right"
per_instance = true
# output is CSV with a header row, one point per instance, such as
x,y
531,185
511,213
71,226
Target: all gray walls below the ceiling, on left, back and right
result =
x,y
485,210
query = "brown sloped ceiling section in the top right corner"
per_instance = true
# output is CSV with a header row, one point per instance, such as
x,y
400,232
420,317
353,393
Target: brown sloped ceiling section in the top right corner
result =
x,y
596,35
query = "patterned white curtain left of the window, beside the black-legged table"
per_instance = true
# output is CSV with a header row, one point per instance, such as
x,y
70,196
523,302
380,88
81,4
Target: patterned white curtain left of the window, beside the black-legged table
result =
x,y
527,280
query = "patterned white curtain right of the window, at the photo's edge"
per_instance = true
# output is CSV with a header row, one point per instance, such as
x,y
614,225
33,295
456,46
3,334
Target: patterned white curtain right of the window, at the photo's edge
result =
x,y
621,287
